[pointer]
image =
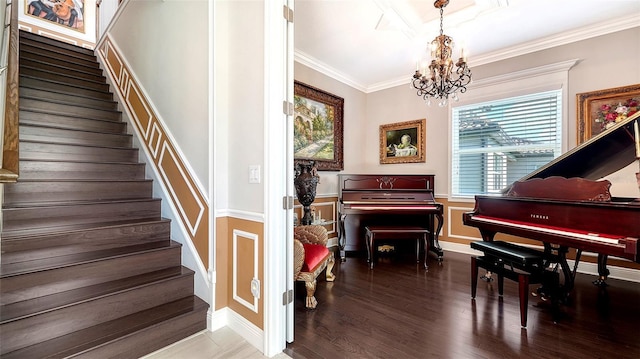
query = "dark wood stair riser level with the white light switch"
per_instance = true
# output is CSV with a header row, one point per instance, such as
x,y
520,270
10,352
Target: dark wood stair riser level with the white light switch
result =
x,y
30,170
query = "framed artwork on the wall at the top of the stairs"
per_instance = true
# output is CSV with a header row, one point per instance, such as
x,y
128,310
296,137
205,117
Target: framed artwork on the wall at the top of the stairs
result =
x,y
65,13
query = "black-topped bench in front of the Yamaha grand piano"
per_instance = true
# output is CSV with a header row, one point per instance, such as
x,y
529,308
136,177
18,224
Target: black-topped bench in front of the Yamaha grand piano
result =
x,y
518,263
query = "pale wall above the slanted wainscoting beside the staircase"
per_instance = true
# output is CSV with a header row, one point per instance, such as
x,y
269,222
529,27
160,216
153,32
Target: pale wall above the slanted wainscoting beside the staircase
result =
x,y
155,36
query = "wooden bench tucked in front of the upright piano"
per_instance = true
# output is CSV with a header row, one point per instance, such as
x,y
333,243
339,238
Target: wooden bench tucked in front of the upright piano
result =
x,y
372,233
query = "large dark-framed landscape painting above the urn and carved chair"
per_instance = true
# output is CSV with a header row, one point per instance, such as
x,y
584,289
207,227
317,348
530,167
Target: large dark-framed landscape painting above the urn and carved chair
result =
x,y
318,127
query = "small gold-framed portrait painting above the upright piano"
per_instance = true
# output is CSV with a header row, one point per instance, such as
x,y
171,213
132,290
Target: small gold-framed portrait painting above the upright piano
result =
x,y
403,142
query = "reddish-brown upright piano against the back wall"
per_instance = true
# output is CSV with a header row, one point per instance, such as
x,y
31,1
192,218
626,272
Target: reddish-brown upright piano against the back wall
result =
x,y
370,199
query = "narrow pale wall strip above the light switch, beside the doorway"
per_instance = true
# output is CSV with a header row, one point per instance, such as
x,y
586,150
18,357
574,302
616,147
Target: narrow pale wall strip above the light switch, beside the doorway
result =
x,y
243,112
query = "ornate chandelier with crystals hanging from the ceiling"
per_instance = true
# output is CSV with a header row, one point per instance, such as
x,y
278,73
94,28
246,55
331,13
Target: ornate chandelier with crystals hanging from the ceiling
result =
x,y
439,79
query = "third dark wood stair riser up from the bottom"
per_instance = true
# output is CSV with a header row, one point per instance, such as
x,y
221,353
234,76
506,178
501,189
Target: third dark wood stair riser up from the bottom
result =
x,y
38,284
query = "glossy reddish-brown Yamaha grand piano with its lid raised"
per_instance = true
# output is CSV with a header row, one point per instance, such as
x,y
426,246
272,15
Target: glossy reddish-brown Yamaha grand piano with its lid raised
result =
x,y
566,204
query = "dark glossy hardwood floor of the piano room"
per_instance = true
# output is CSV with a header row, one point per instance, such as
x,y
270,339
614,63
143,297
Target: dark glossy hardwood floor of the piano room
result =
x,y
399,310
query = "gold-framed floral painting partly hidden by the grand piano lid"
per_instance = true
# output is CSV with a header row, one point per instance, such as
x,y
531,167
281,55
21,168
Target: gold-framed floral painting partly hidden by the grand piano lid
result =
x,y
598,109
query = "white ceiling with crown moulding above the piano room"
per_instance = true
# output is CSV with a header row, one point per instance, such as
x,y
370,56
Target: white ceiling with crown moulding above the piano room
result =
x,y
374,44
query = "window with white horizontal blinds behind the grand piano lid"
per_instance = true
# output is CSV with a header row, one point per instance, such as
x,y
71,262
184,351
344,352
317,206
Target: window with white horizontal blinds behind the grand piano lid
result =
x,y
498,142
